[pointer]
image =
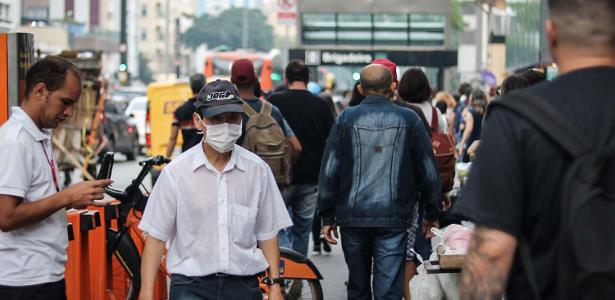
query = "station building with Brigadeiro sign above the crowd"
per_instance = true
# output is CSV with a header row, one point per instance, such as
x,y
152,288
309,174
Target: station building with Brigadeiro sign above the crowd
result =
x,y
337,39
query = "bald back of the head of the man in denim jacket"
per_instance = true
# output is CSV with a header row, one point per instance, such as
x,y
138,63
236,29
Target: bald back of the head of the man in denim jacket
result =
x,y
376,80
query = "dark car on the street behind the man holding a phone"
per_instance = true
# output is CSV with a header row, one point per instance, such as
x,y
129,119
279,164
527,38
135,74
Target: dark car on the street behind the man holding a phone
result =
x,y
123,136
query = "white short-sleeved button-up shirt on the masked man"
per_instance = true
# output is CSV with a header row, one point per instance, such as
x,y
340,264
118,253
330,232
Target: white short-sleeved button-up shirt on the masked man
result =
x,y
213,220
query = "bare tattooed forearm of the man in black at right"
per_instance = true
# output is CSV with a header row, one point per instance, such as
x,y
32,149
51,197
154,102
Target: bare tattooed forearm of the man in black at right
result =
x,y
487,264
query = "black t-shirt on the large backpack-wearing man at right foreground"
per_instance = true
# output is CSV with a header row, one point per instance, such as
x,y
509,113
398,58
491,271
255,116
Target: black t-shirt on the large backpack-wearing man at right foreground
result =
x,y
515,184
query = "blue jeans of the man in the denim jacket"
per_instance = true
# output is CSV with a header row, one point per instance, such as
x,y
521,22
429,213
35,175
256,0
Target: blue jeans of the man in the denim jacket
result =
x,y
386,246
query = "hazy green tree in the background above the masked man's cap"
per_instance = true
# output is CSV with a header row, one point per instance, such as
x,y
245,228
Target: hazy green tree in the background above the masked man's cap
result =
x,y
226,29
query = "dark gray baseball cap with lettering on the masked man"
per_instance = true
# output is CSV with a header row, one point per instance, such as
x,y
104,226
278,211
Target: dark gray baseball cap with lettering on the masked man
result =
x,y
218,97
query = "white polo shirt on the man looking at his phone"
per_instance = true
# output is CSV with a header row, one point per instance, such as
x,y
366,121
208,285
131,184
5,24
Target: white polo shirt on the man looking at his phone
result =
x,y
36,253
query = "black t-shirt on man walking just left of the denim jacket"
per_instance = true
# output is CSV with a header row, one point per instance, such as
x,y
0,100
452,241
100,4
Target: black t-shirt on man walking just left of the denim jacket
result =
x,y
311,119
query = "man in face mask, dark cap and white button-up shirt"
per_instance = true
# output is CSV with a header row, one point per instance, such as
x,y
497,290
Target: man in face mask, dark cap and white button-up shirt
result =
x,y
214,204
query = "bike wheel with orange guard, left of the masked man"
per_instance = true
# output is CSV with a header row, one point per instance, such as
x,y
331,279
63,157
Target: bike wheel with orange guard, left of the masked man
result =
x,y
126,263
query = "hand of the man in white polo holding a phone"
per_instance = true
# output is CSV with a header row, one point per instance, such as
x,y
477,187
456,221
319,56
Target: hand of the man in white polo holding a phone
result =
x,y
86,193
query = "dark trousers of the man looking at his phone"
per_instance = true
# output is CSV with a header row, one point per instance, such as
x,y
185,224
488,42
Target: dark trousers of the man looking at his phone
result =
x,y
45,291
